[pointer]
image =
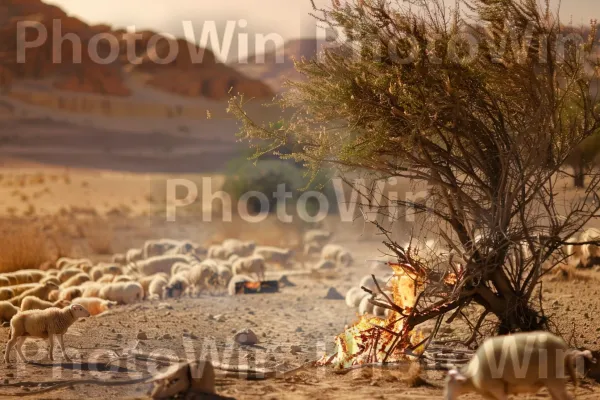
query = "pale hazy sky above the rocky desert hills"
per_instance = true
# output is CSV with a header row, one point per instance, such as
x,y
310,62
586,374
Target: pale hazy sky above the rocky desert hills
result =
x,y
287,18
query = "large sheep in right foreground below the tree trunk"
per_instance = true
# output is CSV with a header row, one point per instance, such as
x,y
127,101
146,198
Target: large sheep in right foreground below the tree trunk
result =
x,y
530,361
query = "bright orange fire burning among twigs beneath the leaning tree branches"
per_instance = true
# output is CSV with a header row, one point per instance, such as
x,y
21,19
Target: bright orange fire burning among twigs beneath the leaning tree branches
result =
x,y
374,340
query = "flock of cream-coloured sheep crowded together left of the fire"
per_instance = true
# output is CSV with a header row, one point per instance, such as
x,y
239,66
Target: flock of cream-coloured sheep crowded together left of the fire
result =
x,y
43,304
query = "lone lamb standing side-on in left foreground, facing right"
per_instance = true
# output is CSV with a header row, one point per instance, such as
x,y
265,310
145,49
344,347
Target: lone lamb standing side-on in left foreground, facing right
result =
x,y
43,324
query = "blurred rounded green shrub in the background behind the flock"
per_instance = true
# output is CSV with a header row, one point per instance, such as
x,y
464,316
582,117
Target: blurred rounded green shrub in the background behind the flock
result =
x,y
265,177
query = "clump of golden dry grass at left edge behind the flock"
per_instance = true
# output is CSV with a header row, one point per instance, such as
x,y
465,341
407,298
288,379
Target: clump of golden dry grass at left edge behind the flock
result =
x,y
23,248
